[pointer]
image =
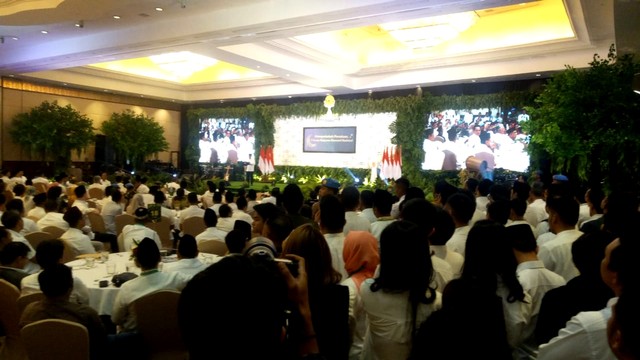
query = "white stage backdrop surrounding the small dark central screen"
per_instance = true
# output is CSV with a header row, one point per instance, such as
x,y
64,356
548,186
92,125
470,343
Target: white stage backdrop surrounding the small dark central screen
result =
x,y
372,135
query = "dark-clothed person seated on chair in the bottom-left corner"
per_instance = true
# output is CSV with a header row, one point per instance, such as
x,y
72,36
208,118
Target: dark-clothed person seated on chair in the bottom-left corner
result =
x,y
56,283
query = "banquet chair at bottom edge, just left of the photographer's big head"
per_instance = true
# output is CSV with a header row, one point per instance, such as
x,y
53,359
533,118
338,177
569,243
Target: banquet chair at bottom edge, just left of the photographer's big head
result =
x,y
162,339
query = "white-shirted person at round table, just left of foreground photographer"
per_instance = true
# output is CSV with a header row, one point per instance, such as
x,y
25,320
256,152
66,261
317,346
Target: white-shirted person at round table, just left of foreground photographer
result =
x,y
147,257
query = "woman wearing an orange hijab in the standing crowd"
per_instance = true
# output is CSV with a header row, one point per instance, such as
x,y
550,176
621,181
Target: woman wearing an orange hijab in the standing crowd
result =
x,y
361,258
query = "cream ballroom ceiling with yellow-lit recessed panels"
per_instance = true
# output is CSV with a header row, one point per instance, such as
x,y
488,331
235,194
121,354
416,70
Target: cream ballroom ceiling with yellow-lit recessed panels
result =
x,y
293,48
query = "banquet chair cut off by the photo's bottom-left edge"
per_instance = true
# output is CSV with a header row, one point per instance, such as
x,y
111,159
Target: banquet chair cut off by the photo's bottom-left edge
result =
x,y
12,346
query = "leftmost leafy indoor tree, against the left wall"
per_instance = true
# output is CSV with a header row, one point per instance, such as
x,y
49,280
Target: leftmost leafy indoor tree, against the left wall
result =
x,y
51,132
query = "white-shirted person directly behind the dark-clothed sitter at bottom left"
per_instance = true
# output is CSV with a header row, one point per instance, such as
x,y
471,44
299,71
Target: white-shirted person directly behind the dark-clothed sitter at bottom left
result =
x,y
48,254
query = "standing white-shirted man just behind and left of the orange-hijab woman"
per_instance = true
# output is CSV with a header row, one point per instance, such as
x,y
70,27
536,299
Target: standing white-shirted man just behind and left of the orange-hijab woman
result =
x,y
331,225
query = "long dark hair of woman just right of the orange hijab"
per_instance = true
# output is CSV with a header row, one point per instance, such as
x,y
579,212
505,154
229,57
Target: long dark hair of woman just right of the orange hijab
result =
x,y
405,263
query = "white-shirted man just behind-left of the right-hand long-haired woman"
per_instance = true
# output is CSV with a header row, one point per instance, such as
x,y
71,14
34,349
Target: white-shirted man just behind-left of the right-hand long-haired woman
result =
x,y
460,206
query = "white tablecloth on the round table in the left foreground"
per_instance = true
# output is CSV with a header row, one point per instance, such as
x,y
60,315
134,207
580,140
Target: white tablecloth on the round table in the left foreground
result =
x,y
102,299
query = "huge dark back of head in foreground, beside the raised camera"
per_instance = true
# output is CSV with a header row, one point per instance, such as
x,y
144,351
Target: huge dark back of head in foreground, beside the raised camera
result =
x,y
232,285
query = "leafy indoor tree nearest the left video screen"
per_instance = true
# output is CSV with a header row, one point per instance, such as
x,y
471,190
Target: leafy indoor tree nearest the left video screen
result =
x,y
134,136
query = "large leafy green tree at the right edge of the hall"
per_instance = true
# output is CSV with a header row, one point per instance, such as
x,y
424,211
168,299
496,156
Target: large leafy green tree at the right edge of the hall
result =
x,y
586,122
